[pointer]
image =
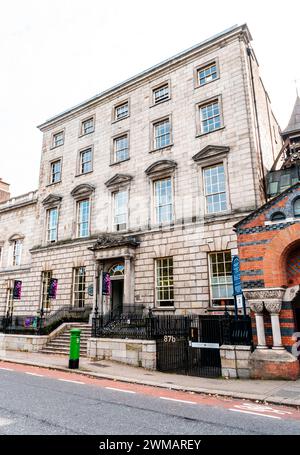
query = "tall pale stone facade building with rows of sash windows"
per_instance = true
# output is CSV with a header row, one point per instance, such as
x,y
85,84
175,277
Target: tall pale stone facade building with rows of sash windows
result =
x,y
146,181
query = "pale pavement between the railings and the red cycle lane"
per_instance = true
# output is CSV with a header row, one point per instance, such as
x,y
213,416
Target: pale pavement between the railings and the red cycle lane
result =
x,y
266,391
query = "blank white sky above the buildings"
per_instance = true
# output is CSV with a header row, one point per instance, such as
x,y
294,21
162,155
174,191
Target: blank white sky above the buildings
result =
x,y
58,53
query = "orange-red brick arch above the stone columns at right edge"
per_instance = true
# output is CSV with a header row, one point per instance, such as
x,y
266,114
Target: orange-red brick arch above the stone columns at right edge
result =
x,y
274,263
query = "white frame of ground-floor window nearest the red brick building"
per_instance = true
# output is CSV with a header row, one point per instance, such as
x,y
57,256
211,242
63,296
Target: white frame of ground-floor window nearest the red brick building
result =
x,y
227,281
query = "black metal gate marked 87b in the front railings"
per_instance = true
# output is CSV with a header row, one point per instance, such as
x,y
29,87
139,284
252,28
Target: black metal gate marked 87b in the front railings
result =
x,y
190,345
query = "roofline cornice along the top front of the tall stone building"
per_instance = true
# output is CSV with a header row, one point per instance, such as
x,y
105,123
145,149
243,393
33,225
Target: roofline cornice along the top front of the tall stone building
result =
x,y
145,72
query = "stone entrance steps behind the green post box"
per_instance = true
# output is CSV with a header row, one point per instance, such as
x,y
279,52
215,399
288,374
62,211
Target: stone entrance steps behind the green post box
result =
x,y
60,344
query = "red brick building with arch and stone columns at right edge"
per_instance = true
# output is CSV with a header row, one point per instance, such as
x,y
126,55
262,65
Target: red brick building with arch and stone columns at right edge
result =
x,y
269,251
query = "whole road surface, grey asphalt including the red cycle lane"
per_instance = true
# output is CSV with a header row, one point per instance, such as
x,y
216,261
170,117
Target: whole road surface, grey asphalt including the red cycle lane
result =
x,y
48,402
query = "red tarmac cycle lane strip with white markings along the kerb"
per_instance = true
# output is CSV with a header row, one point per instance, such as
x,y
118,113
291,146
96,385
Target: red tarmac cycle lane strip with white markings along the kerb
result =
x,y
233,405
